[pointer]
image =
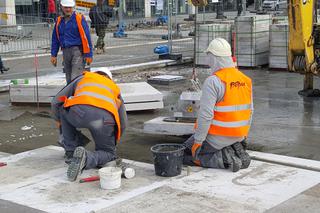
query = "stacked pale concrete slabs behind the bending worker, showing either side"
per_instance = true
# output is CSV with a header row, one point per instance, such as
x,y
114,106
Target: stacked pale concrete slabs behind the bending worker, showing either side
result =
x,y
141,95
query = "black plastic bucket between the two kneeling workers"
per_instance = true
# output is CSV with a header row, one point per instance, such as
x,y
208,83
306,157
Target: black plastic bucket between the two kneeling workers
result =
x,y
168,159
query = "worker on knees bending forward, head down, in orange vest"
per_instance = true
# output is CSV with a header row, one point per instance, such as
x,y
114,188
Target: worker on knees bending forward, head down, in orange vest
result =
x,y
92,101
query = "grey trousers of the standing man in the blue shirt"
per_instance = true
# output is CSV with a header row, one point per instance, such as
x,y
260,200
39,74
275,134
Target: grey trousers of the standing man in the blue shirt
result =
x,y
73,62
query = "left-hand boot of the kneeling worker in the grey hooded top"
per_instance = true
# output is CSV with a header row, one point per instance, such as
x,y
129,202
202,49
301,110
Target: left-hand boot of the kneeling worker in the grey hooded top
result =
x,y
230,160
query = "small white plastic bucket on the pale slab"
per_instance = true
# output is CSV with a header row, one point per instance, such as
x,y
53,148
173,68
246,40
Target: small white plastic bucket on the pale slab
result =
x,y
110,177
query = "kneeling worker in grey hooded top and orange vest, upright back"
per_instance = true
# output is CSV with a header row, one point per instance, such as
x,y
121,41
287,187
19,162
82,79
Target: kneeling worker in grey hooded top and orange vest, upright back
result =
x,y
225,114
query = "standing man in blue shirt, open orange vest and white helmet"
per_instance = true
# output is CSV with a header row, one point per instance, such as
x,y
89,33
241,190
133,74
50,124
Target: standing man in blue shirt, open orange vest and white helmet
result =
x,y
71,33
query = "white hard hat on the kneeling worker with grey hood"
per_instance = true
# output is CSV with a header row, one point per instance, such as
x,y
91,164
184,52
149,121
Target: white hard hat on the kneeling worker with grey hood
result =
x,y
219,47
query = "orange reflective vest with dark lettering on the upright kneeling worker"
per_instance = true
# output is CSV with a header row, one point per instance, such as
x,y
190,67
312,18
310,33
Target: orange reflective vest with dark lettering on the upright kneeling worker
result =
x,y
233,114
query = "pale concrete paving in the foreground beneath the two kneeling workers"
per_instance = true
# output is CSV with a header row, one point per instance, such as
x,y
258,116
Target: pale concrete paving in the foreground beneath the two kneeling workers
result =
x,y
43,186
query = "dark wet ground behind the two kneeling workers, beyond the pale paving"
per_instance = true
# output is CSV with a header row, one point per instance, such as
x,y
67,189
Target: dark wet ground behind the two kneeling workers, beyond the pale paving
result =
x,y
284,122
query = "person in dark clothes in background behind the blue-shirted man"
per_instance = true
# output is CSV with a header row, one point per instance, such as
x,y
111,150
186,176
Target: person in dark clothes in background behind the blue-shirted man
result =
x,y
99,15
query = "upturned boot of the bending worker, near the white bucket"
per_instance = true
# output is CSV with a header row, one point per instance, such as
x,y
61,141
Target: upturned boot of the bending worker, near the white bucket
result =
x,y
77,164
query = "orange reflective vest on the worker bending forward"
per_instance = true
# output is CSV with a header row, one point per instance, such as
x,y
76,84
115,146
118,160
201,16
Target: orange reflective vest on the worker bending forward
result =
x,y
98,91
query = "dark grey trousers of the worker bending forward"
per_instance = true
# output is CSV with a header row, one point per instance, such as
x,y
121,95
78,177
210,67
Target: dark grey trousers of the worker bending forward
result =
x,y
102,127
